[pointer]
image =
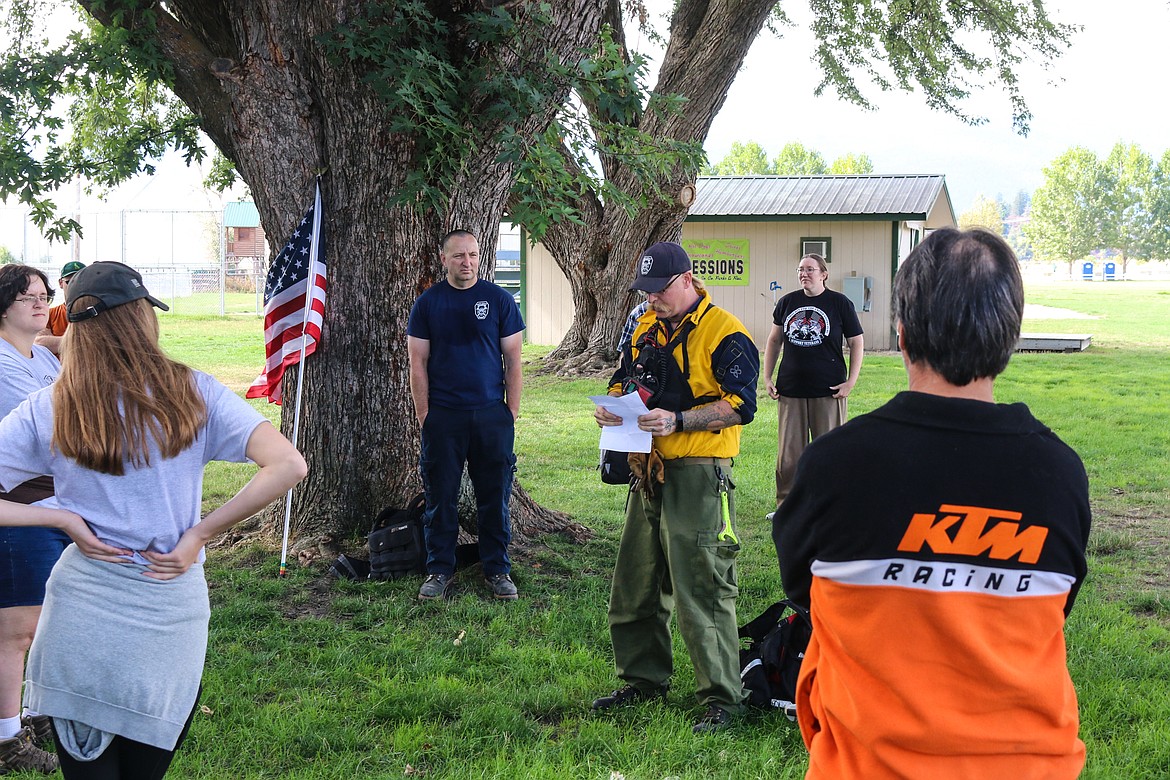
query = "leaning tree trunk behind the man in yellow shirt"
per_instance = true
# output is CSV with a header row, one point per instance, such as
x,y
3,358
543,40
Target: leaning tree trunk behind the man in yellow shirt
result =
x,y
708,44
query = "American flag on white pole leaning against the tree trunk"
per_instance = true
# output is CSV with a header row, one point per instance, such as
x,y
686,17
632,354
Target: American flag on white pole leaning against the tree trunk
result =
x,y
293,306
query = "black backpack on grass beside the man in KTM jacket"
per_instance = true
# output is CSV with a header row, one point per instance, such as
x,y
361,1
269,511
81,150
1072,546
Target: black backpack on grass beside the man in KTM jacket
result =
x,y
770,662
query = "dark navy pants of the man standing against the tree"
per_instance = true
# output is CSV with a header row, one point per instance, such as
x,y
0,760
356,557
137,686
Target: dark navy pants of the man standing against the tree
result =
x,y
484,440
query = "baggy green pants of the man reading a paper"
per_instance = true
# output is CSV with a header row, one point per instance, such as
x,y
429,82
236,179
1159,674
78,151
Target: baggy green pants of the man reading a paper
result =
x,y
671,560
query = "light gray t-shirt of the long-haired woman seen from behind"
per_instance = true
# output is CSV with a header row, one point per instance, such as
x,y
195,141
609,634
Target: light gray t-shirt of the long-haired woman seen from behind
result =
x,y
148,508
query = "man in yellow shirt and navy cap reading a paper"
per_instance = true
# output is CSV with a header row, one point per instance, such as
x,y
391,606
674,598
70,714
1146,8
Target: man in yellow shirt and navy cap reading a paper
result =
x,y
697,369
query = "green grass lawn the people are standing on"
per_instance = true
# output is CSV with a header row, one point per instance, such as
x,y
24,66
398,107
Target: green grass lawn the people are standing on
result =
x,y
314,679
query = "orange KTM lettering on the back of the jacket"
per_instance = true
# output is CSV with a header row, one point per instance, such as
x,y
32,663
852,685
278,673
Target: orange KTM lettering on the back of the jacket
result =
x,y
963,531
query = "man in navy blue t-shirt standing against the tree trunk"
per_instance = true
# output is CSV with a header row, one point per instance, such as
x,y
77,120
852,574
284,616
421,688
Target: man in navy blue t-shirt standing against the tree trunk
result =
x,y
464,340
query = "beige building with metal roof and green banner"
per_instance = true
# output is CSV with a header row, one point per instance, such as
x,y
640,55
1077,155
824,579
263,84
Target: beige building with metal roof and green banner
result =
x,y
746,237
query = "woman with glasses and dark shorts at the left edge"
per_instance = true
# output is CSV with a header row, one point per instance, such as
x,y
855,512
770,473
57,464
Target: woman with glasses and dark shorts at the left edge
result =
x,y
27,554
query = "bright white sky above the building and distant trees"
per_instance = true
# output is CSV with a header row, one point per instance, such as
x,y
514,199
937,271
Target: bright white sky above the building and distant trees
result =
x,y
1113,89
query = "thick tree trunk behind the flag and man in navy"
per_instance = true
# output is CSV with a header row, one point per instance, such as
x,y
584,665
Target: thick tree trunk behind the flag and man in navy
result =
x,y
256,74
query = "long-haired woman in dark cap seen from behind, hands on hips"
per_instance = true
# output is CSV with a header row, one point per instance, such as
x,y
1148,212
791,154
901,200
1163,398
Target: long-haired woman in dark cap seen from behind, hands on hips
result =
x,y
126,432
